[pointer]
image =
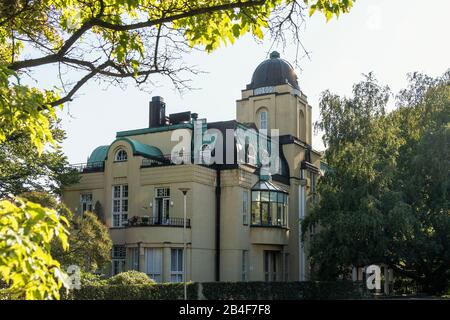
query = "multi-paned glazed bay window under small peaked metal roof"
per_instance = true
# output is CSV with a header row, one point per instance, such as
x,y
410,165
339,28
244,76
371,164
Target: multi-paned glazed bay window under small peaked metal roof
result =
x,y
269,208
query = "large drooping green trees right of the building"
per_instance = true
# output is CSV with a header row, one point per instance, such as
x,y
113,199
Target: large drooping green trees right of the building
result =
x,y
385,200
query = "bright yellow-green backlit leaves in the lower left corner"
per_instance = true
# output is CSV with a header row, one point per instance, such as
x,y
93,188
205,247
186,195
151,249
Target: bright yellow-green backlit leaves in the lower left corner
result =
x,y
26,231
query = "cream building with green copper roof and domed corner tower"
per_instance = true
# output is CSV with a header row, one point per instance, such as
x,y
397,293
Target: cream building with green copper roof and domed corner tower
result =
x,y
242,221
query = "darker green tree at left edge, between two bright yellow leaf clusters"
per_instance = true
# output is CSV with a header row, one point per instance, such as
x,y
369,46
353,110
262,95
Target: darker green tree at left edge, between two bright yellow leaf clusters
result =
x,y
22,169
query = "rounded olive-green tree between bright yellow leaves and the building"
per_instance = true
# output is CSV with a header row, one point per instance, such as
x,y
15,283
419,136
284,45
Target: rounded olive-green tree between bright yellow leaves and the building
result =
x,y
89,242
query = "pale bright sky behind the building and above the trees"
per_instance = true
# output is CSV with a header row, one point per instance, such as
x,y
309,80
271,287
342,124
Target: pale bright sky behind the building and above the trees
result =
x,y
390,38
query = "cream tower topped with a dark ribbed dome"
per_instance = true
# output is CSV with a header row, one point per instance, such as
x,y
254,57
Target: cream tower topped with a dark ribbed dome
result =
x,y
273,100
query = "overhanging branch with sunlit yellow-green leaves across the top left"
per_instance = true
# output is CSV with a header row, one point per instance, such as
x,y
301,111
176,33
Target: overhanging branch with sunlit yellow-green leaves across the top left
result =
x,y
119,39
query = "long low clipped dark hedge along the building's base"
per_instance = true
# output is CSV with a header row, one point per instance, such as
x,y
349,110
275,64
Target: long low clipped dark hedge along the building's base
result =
x,y
224,291
